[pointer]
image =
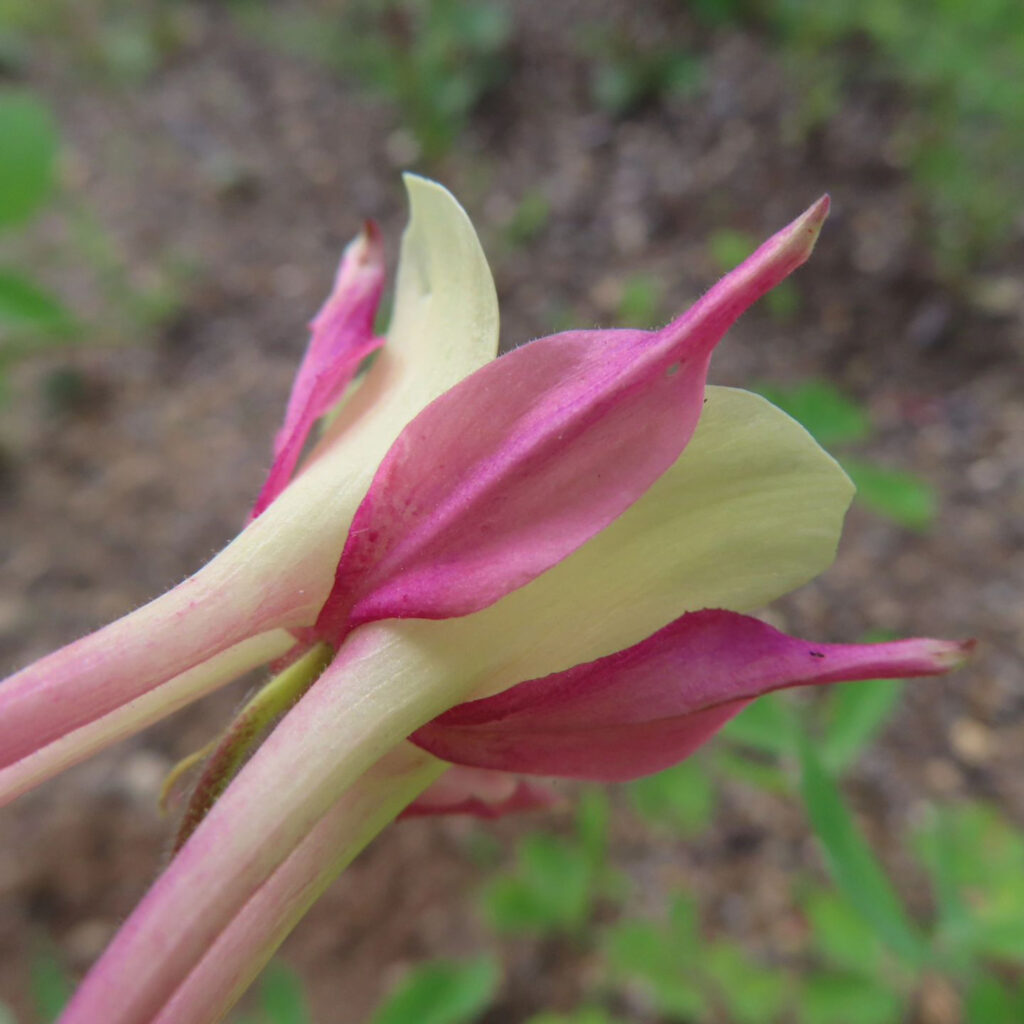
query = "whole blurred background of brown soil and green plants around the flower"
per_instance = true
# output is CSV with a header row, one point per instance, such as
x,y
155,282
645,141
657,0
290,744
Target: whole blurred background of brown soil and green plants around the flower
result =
x,y
177,181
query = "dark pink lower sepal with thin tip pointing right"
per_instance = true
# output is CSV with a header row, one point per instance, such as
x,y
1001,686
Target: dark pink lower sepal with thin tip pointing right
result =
x,y
650,707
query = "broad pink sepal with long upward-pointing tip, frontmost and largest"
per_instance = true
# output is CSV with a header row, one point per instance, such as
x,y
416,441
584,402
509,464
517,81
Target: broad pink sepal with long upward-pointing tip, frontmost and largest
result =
x,y
513,470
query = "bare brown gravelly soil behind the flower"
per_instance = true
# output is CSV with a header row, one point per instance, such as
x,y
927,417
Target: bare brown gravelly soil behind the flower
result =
x,y
252,168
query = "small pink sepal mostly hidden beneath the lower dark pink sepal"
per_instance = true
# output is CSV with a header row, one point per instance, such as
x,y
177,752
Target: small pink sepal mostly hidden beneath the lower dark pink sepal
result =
x,y
481,794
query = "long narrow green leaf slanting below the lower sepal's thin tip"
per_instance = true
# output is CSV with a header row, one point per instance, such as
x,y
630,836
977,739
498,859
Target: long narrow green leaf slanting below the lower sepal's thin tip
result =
x,y
852,864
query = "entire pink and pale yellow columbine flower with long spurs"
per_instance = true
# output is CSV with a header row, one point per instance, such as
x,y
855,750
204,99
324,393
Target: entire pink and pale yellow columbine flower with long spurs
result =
x,y
508,563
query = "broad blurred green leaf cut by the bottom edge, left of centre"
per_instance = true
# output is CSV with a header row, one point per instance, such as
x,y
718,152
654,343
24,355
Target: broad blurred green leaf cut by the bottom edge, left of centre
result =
x,y
442,993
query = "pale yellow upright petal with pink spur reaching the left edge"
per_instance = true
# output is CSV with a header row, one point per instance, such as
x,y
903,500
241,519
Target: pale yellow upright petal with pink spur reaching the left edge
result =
x,y
278,573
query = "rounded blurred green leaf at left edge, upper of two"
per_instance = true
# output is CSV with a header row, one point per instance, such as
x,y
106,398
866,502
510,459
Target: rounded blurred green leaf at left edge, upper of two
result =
x,y
28,156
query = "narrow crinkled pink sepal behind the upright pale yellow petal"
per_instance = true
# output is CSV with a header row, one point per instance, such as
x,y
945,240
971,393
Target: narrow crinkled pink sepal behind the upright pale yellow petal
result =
x,y
343,336
